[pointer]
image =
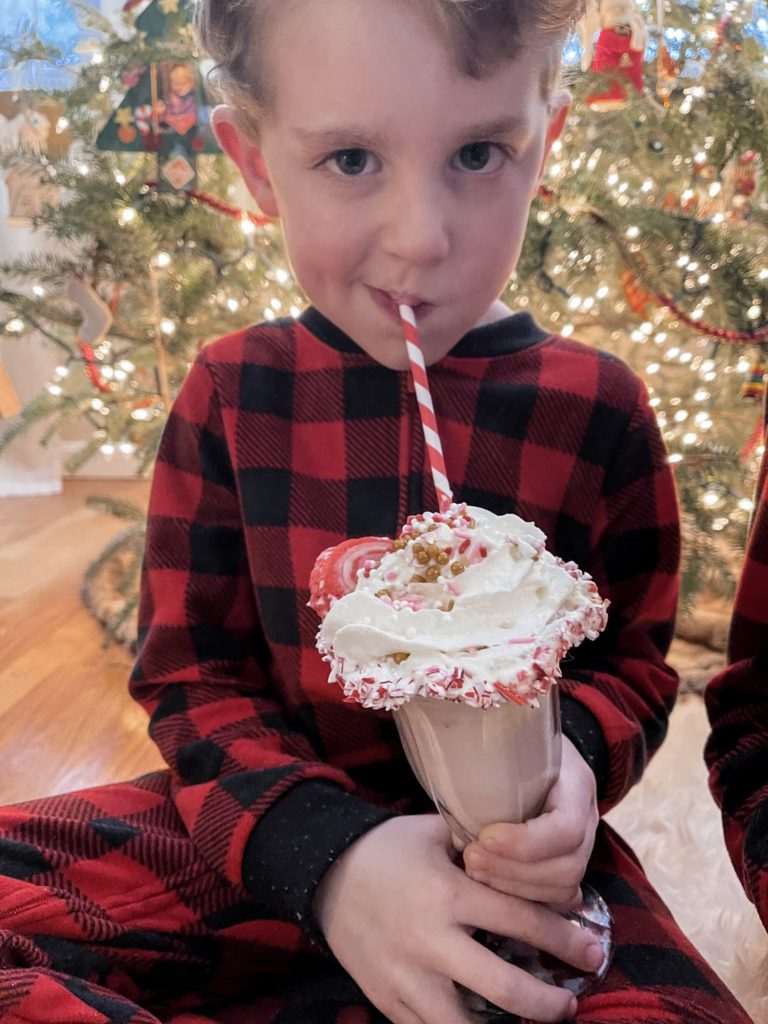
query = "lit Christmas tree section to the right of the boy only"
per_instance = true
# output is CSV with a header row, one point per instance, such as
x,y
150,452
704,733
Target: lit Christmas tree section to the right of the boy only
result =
x,y
650,239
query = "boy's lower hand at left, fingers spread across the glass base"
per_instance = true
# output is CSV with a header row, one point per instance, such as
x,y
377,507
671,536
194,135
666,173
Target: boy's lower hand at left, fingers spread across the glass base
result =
x,y
399,915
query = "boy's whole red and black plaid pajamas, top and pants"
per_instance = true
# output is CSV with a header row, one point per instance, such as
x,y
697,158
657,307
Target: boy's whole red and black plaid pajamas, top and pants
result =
x,y
189,893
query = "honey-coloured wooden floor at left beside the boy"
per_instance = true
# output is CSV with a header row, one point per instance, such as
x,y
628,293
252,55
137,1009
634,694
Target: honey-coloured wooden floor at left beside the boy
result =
x,y
66,717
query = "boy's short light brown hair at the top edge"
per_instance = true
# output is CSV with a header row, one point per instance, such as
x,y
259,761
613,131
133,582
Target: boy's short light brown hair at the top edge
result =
x,y
481,34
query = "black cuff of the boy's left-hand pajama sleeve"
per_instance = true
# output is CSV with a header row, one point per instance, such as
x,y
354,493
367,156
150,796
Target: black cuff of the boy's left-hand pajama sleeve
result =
x,y
295,843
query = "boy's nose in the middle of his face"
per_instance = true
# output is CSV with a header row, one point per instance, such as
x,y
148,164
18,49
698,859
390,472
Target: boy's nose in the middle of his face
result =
x,y
416,230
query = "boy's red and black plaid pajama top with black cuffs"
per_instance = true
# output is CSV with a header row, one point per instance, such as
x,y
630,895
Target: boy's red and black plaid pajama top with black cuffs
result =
x,y
287,439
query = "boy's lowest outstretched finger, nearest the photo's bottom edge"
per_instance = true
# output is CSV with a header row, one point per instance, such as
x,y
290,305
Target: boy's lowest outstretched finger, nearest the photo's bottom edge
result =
x,y
483,972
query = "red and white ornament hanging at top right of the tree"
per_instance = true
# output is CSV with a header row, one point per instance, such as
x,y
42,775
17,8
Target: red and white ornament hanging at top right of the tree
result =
x,y
617,54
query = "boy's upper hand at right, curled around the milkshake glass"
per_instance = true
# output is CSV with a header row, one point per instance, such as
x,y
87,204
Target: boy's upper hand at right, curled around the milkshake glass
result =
x,y
544,860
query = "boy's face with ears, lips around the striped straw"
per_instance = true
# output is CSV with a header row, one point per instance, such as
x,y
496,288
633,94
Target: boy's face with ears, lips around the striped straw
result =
x,y
397,178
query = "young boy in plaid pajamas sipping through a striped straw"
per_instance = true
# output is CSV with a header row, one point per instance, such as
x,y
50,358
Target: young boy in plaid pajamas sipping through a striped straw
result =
x,y
288,869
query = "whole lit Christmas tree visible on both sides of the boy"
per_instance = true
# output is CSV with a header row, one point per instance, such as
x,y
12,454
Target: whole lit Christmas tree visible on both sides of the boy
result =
x,y
649,238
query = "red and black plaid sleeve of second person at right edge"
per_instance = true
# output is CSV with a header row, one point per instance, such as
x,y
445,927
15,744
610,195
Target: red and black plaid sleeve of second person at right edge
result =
x,y
738,704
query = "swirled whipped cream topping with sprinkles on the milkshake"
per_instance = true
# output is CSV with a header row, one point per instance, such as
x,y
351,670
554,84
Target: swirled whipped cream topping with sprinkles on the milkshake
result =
x,y
470,607
